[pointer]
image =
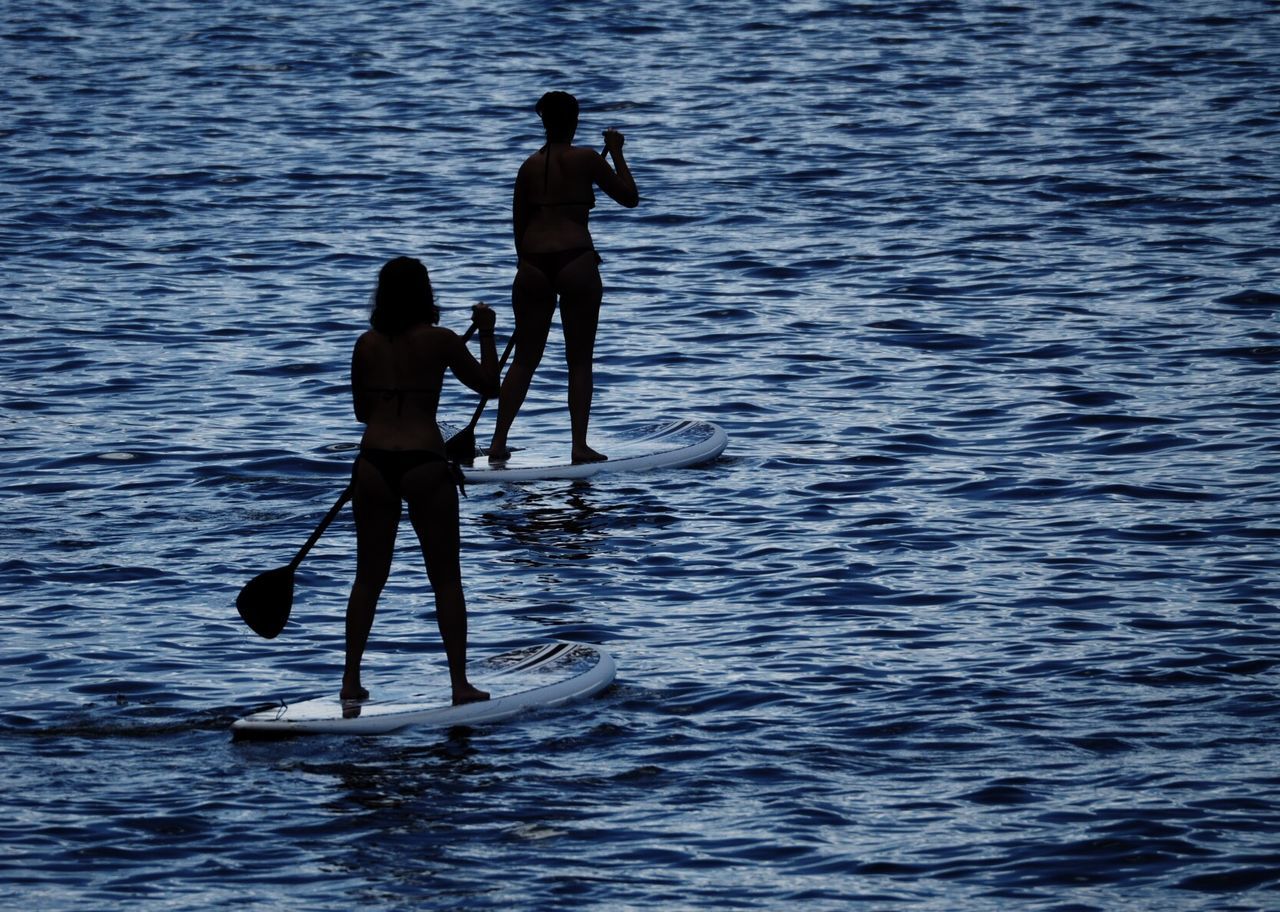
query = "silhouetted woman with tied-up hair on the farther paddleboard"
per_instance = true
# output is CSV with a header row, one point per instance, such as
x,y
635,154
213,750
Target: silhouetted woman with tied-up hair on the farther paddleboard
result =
x,y
555,194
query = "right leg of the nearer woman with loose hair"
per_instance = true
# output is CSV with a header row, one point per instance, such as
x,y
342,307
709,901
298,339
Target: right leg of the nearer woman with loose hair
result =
x,y
433,508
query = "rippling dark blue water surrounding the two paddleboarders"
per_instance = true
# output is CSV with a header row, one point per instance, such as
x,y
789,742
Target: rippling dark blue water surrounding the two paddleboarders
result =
x,y
980,610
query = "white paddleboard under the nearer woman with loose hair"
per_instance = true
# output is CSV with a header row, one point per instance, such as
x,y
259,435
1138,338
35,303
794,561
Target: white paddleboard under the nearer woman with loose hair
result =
x,y
518,681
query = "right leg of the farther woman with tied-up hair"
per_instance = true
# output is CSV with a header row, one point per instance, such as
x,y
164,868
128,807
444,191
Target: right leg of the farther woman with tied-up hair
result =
x,y
580,313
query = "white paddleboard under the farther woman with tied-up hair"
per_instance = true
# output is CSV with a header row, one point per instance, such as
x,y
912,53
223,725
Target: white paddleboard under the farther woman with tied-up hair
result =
x,y
662,446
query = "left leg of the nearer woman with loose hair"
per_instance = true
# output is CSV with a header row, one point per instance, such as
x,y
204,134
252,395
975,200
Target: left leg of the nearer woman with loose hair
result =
x,y
377,512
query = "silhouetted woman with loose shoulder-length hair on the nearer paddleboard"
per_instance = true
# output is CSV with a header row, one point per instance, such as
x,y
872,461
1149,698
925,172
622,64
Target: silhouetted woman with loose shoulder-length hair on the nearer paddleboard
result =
x,y
397,371
